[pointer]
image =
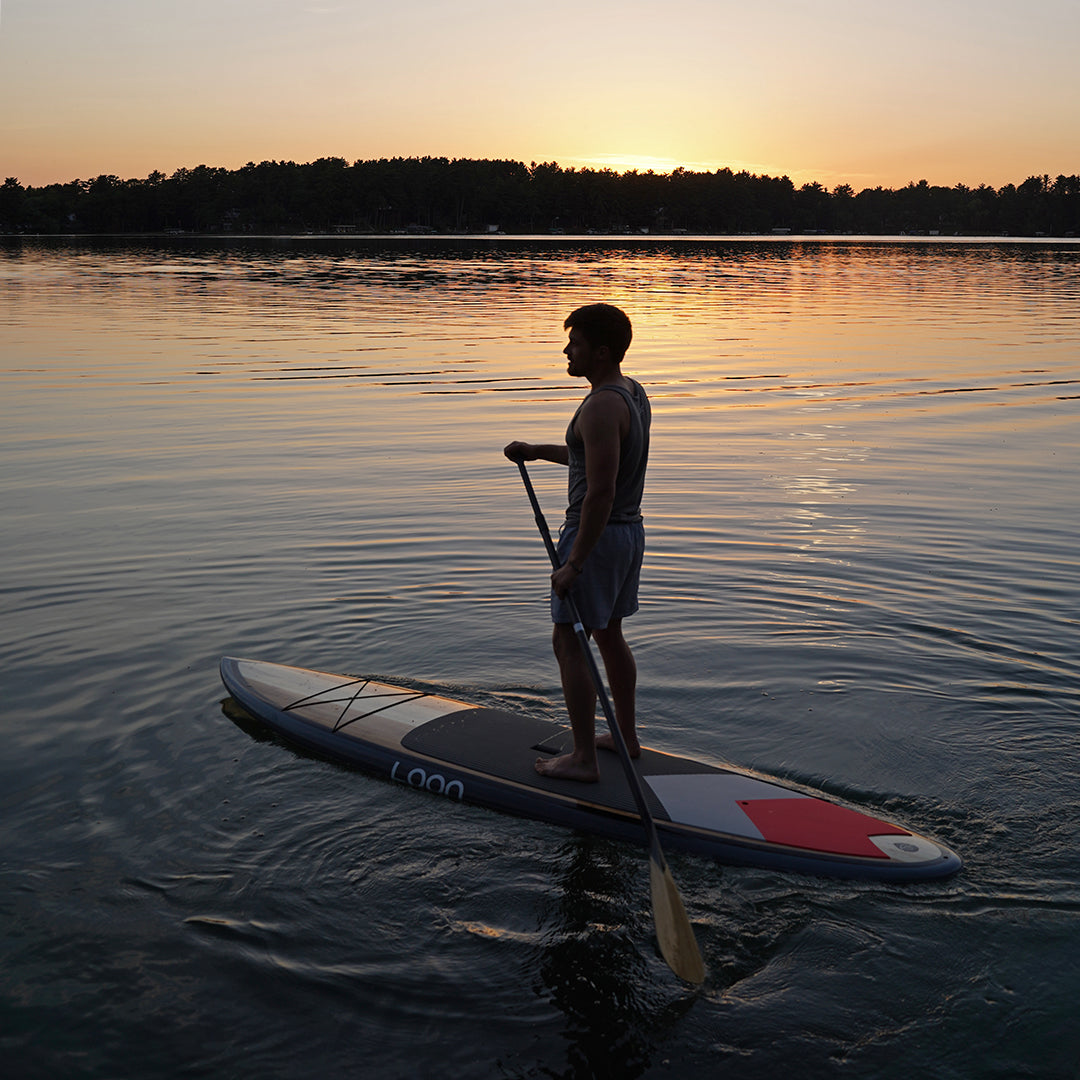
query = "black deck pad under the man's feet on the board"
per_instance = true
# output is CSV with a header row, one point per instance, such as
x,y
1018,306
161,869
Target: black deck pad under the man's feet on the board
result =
x,y
507,746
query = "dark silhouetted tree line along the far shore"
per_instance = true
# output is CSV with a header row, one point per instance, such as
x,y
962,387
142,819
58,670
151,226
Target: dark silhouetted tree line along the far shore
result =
x,y
463,196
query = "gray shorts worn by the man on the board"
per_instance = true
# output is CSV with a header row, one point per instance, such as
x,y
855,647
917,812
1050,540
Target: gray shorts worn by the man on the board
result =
x,y
609,588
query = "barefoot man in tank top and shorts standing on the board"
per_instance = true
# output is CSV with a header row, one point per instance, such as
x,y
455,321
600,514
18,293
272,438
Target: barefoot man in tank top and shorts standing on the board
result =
x,y
602,542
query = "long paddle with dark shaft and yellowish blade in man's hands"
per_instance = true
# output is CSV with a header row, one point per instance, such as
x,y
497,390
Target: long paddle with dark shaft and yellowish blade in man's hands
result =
x,y
674,933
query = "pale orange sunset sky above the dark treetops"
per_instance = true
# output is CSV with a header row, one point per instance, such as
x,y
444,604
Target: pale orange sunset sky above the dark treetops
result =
x,y
861,92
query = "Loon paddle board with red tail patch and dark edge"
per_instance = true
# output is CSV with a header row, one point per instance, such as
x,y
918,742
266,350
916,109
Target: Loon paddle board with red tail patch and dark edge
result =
x,y
487,757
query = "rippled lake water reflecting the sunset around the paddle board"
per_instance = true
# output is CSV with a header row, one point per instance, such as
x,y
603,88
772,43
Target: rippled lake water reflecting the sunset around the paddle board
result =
x,y
862,520
